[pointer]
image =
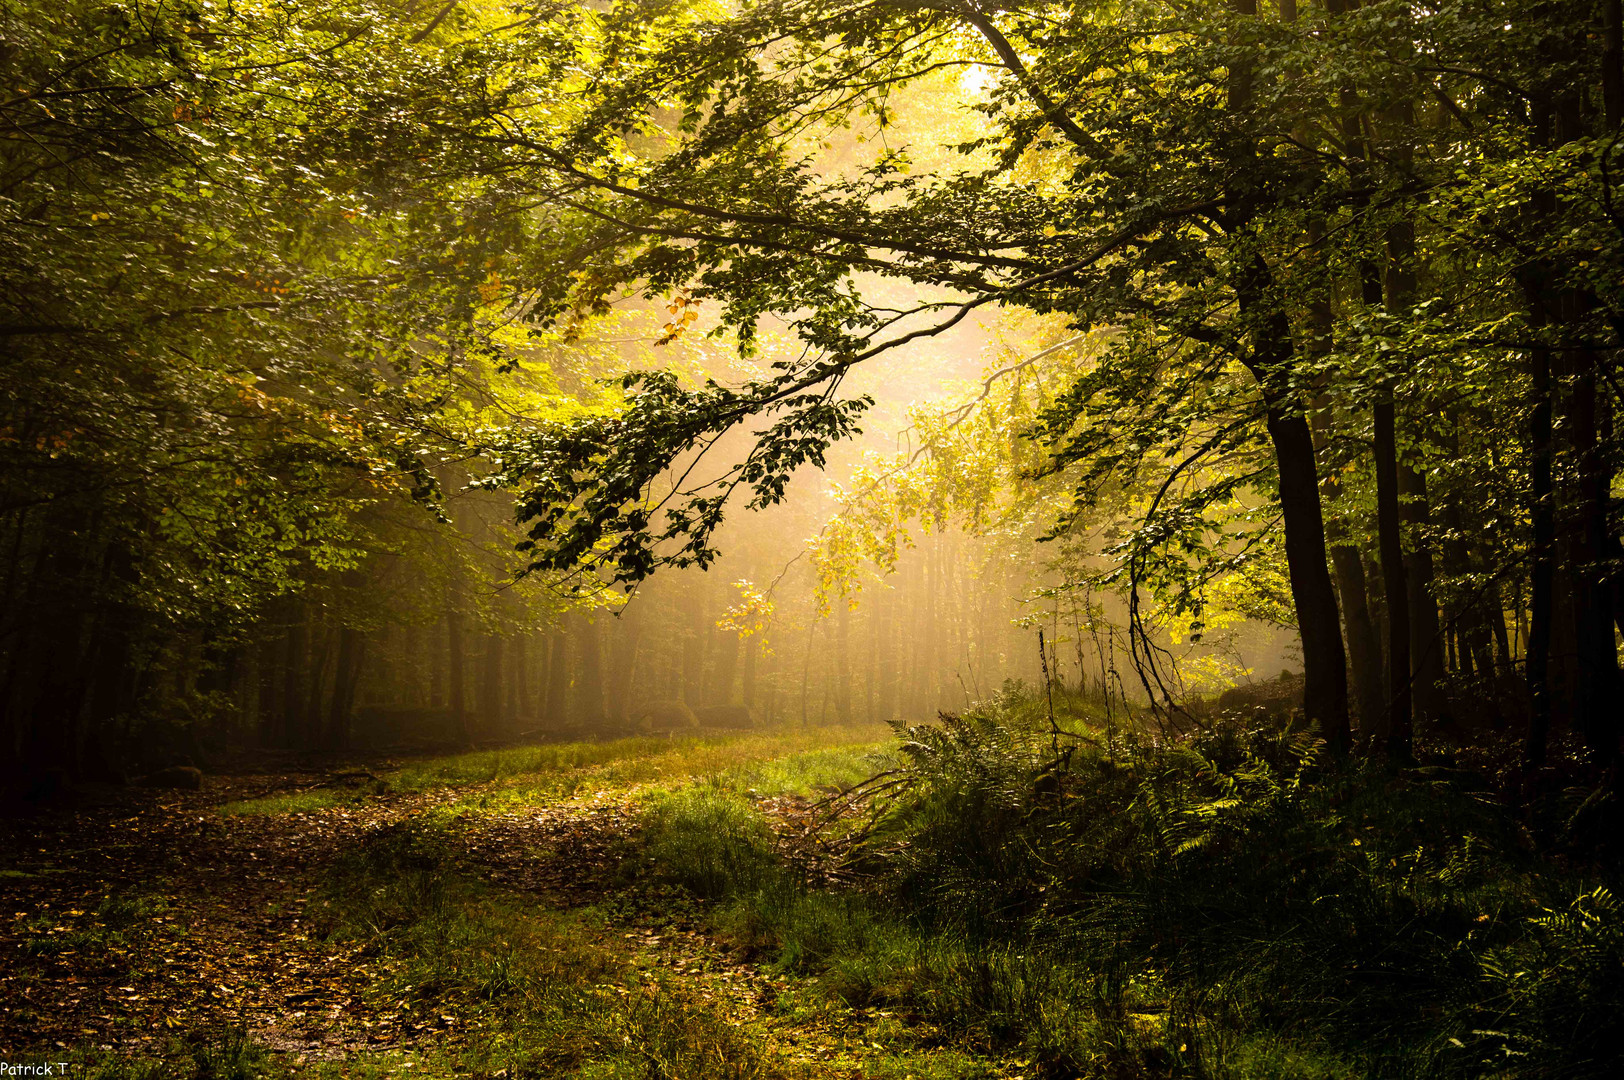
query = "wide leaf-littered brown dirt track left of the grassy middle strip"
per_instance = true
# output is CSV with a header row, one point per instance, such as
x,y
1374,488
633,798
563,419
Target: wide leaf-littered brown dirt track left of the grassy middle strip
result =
x,y
144,914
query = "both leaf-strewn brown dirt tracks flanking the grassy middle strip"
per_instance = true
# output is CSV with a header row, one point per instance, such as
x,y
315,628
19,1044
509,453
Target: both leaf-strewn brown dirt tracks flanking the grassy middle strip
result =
x,y
139,917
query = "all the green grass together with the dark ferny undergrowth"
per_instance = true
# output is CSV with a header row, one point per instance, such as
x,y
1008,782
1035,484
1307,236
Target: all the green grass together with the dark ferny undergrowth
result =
x,y
1229,907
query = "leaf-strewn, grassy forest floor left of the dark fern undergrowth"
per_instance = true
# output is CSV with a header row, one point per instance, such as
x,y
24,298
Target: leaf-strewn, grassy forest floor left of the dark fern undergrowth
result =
x,y
483,915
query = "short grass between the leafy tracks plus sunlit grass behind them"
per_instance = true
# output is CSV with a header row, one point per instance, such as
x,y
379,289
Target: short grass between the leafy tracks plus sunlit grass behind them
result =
x,y
551,993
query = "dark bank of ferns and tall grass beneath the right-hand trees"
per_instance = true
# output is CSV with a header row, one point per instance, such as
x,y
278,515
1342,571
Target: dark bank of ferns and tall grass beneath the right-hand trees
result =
x,y
1230,905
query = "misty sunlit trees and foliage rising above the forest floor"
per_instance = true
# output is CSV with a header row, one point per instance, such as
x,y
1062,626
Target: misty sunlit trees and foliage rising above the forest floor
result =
x,y
360,358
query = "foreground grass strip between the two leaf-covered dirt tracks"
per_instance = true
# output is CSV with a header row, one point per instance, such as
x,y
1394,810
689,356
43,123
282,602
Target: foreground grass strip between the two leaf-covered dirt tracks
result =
x,y
542,993
